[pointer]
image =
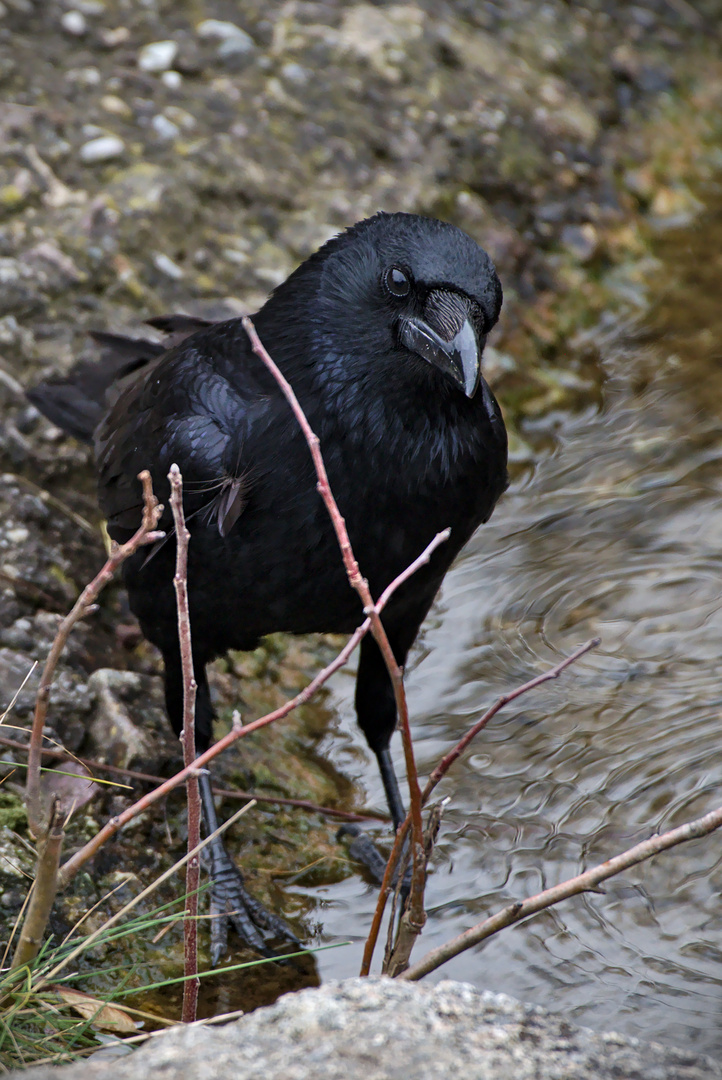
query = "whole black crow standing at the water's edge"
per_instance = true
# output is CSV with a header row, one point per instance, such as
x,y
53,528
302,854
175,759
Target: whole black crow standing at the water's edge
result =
x,y
380,334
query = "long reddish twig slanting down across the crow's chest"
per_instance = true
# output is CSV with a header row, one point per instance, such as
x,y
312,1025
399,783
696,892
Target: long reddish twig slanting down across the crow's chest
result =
x,y
415,908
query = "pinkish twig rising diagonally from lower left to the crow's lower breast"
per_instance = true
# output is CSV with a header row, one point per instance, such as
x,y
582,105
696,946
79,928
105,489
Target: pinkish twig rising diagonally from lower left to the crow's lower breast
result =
x,y
80,858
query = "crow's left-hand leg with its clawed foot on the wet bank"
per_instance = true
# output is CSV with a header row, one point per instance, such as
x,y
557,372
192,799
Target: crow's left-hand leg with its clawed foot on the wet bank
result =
x,y
231,904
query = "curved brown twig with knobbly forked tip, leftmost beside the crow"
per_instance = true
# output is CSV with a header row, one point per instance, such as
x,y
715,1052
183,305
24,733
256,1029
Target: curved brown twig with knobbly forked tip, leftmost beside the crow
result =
x,y
84,605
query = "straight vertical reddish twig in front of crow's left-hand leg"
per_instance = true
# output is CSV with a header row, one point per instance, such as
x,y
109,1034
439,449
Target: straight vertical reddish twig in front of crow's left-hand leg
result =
x,y
188,738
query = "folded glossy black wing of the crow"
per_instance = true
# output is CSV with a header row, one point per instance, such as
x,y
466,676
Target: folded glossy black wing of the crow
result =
x,y
183,409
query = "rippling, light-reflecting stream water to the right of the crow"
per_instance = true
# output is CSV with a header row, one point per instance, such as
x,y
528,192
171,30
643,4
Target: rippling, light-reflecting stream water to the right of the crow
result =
x,y
616,534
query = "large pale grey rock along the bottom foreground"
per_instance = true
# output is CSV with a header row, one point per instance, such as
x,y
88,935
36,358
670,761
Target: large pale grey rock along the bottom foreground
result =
x,y
382,1030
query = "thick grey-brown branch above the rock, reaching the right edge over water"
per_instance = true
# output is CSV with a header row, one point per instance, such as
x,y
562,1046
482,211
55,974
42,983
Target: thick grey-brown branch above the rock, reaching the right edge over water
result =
x,y
583,883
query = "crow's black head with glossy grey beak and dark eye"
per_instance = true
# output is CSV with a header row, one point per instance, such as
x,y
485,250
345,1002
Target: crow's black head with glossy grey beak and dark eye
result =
x,y
401,293
